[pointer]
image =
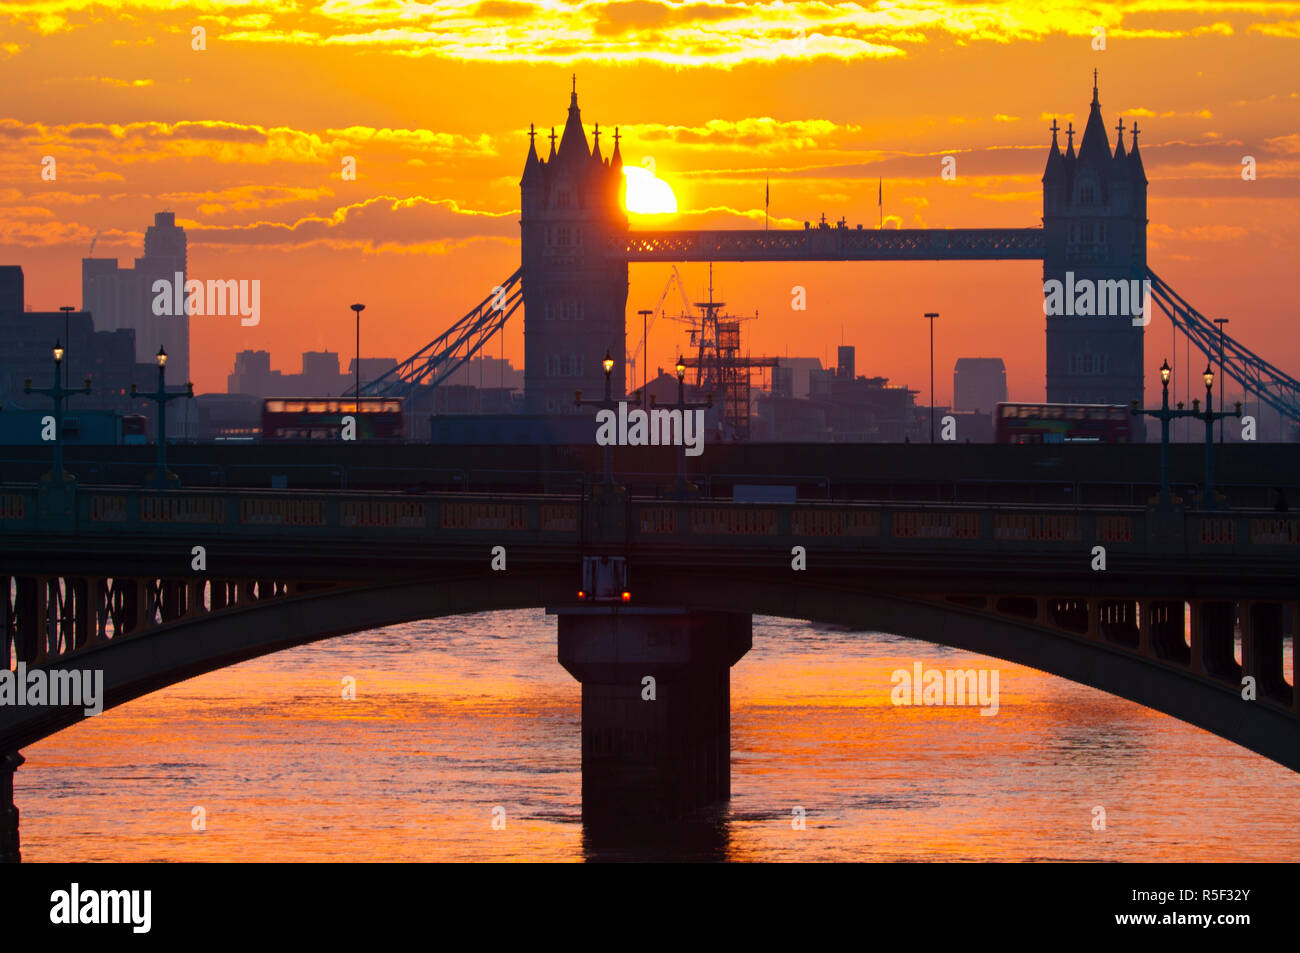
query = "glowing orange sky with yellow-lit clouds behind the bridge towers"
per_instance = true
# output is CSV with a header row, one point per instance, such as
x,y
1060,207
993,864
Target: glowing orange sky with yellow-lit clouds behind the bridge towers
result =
x,y
245,141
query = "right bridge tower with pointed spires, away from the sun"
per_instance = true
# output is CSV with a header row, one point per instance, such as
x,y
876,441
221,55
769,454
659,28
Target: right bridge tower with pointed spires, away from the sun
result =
x,y
1095,231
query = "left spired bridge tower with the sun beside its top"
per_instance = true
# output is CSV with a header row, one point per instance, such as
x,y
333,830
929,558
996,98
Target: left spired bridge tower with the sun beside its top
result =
x,y
575,296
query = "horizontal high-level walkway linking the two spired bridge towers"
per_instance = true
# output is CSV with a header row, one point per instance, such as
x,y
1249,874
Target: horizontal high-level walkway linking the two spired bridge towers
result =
x,y
831,245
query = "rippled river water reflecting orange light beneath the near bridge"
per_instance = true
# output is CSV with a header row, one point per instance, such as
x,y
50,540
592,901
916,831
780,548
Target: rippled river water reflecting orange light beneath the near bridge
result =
x,y
457,717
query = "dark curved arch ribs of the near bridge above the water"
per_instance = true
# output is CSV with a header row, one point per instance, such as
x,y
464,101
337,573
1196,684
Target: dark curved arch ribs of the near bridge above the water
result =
x,y
168,655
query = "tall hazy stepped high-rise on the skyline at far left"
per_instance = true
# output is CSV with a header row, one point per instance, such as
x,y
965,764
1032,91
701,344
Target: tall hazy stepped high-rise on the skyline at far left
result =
x,y
124,297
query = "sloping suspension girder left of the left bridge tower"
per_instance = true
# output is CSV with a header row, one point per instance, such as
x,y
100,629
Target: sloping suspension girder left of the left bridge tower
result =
x,y
450,350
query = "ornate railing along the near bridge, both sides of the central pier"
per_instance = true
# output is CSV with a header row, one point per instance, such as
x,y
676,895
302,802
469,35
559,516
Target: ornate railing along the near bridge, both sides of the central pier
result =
x,y
652,523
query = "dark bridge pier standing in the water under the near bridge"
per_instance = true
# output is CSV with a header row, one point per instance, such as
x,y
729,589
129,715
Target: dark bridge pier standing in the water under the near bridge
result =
x,y
656,709
